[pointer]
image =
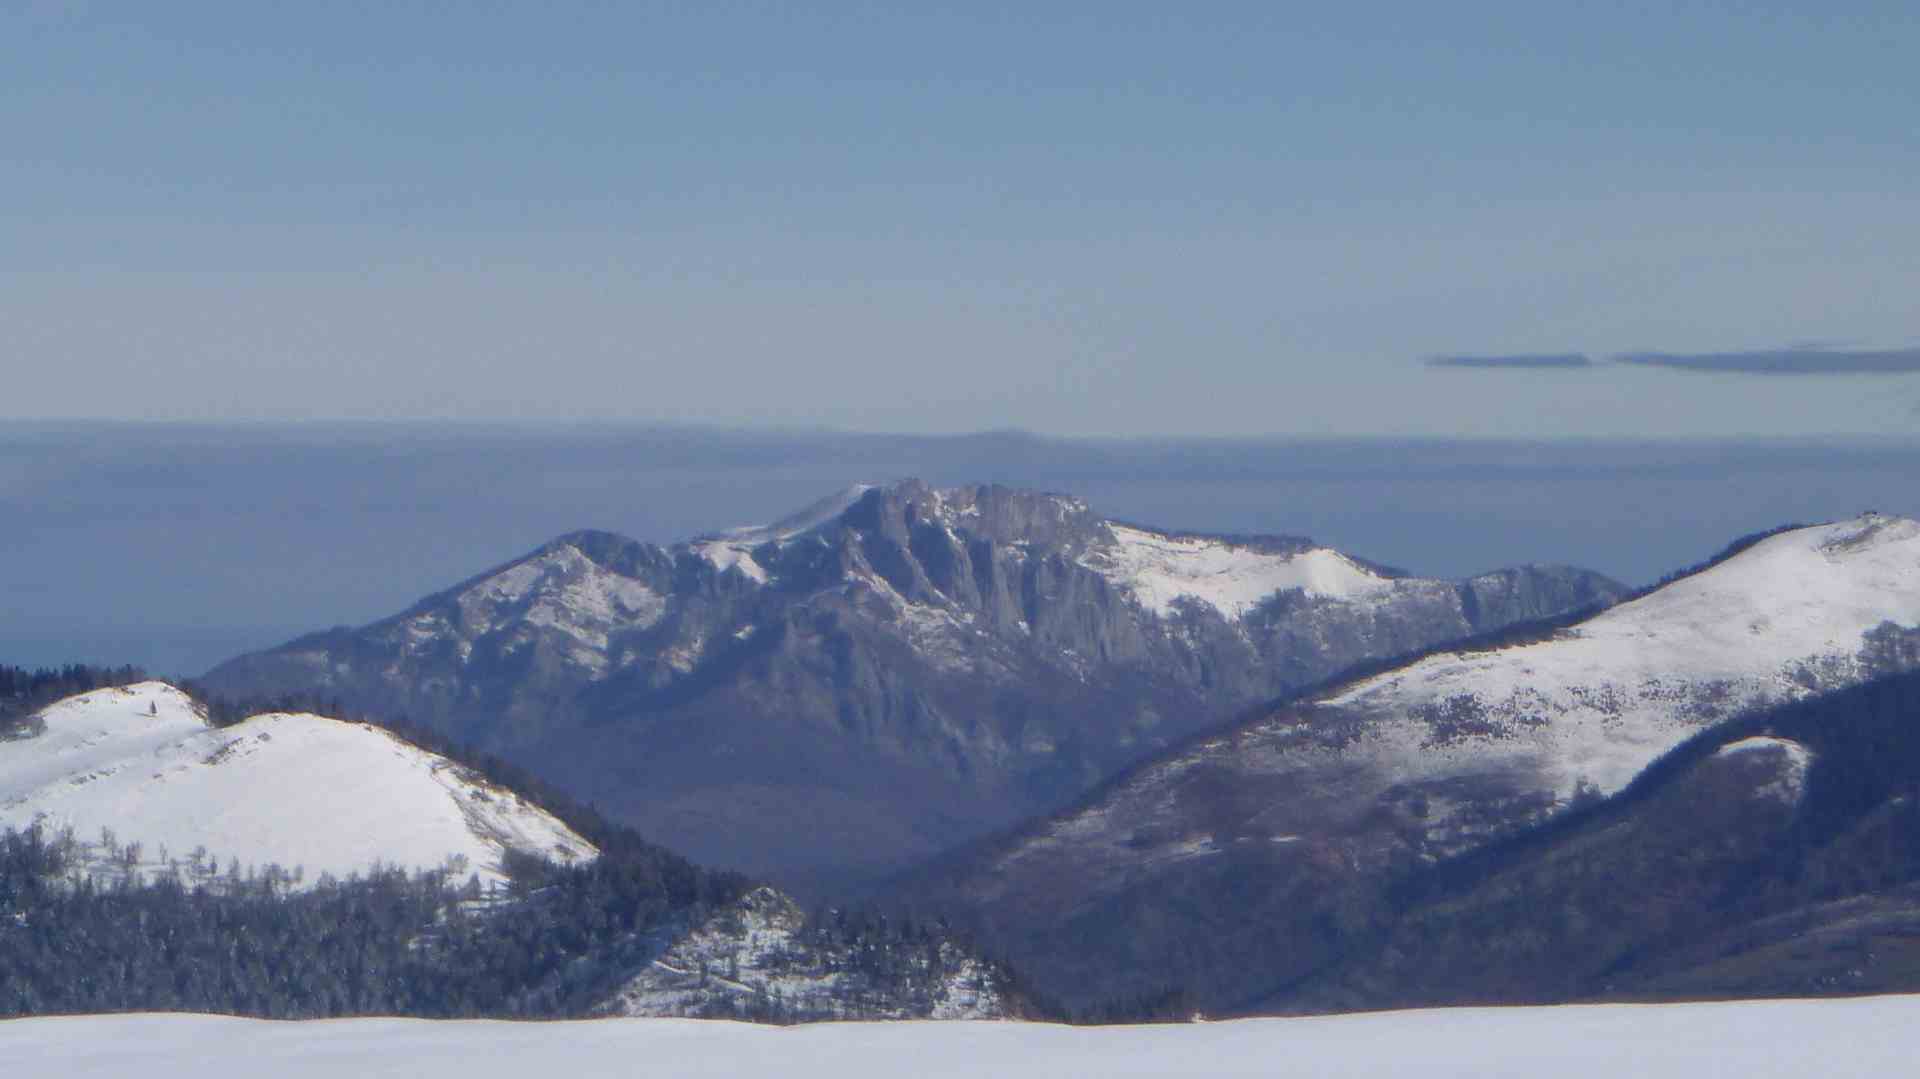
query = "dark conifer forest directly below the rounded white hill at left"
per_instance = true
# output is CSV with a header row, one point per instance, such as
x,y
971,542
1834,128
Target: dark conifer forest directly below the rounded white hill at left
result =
x,y
385,944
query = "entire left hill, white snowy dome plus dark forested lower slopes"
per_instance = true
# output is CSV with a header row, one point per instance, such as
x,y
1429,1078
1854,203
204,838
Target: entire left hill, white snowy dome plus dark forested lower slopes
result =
x,y
149,790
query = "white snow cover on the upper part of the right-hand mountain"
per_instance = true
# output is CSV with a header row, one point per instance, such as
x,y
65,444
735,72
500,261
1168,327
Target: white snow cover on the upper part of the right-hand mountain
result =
x,y
1781,621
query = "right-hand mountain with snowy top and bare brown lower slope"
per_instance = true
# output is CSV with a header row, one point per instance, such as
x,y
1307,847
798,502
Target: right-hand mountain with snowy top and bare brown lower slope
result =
x,y
1289,821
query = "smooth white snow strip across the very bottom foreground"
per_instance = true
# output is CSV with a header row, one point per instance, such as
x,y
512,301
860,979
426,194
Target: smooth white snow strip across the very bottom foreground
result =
x,y
1750,1040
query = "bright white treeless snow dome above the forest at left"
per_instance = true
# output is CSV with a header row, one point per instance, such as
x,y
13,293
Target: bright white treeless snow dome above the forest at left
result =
x,y
291,790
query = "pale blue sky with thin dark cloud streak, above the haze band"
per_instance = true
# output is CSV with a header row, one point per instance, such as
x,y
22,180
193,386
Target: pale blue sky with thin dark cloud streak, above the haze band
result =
x,y
1082,220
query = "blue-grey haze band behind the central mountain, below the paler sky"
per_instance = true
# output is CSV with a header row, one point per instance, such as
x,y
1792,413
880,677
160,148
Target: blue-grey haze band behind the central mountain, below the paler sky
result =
x,y
176,546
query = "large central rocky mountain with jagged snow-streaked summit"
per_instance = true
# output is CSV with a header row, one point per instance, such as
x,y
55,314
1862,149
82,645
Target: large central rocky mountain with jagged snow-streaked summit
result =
x,y
886,673
